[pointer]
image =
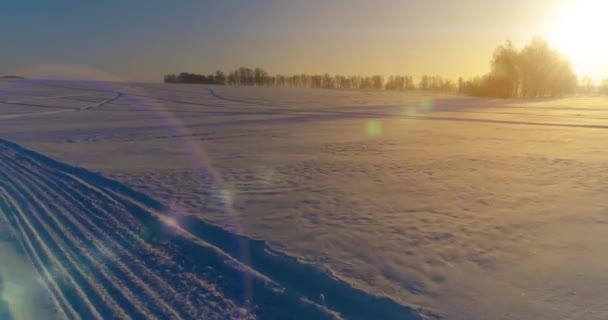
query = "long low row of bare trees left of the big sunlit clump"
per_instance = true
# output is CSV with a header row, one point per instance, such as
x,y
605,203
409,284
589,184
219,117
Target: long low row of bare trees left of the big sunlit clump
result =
x,y
244,76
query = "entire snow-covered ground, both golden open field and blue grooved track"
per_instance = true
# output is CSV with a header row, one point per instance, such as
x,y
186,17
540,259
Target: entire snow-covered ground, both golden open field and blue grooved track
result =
x,y
459,208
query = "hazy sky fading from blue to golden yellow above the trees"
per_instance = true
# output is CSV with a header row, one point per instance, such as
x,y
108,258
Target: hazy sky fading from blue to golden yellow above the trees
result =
x,y
143,40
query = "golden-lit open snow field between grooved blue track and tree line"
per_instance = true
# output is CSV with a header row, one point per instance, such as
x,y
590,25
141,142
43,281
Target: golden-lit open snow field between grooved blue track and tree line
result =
x,y
465,208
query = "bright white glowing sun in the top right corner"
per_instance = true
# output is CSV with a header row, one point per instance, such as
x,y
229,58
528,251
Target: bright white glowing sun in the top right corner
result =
x,y
578,30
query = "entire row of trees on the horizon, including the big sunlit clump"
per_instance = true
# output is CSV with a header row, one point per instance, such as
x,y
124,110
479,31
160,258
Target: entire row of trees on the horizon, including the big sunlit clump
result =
x,y
536,71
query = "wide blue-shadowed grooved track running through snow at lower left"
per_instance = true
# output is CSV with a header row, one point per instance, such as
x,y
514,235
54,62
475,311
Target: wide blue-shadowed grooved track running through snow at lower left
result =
x,y
104,251
